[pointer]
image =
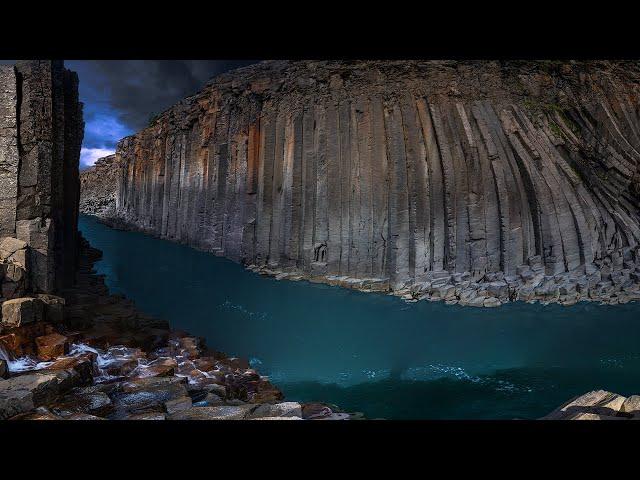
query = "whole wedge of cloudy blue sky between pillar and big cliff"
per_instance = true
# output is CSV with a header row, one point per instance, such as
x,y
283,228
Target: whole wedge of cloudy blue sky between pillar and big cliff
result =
x,y
121,95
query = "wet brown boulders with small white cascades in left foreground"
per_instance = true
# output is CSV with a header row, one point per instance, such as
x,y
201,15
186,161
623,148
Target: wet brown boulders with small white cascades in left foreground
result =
x,y
89,355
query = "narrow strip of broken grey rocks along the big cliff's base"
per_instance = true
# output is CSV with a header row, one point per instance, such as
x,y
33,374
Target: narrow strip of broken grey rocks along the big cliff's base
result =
x,y
496,289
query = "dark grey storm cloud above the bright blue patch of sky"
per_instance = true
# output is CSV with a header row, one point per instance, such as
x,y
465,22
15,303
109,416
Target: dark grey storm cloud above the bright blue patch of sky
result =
x,y
138,89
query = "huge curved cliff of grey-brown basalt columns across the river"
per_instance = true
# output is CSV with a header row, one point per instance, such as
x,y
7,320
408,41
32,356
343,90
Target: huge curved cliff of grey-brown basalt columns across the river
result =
x,y
474,182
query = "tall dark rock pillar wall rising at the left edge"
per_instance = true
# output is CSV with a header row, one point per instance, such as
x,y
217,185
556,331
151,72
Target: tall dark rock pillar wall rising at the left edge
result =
x,y
41,131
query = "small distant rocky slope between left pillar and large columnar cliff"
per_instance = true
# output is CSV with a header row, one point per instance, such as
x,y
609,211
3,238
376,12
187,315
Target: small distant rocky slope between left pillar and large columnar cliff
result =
x,y
98,186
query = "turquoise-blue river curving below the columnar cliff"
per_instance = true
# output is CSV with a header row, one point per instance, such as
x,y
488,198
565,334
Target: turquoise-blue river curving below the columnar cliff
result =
x,y
374,353
